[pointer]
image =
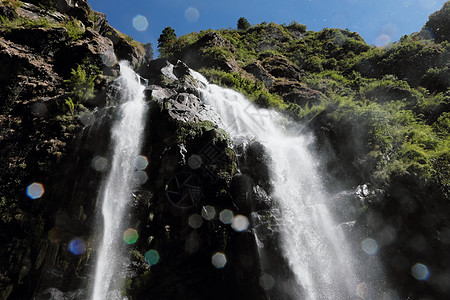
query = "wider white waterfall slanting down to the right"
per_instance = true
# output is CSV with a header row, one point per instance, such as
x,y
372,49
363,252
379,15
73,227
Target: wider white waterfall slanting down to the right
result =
x,y
311,241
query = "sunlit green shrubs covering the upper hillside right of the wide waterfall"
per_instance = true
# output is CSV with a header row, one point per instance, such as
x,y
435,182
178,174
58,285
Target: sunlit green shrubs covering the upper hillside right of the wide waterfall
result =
x,y
393,100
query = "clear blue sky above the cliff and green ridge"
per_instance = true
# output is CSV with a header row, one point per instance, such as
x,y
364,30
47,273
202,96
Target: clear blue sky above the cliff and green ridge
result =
x,y
378,21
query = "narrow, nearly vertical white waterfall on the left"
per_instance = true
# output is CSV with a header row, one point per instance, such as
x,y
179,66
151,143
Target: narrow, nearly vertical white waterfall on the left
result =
x,y
116,192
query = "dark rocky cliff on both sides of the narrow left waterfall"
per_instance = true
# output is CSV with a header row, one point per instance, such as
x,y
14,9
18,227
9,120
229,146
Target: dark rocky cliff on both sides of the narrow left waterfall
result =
x,y
53,136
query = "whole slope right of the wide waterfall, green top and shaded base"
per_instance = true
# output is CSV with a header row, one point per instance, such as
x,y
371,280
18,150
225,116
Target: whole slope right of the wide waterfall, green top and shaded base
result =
x,y
381,117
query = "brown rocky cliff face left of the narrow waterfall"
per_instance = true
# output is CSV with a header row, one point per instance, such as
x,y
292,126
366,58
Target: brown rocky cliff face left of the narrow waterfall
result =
x,y
39,50
